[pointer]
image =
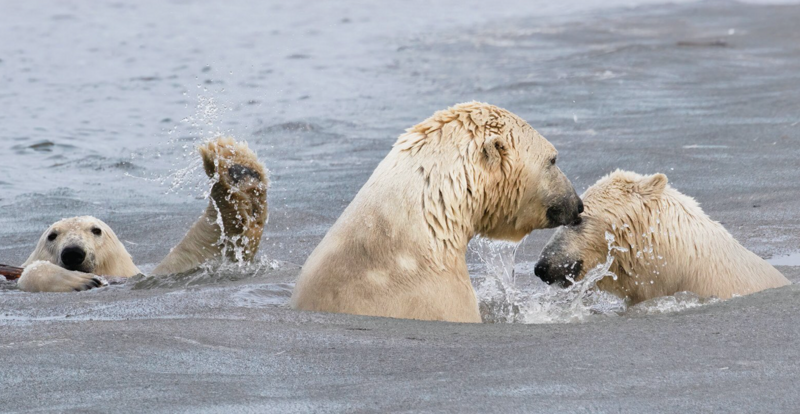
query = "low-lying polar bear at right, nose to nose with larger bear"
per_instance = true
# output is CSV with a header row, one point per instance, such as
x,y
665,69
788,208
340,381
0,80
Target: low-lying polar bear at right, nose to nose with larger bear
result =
x,y
664,242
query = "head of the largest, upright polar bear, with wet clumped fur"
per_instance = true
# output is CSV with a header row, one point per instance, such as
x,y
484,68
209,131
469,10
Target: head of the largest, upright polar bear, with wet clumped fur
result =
x,y
484,168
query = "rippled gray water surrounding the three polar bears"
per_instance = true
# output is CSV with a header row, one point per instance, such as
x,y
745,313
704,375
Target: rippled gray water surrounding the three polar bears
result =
x,y
105,101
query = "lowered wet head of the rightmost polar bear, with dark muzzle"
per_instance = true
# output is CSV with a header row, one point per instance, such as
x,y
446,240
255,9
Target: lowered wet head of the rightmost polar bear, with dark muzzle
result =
x,y
624,205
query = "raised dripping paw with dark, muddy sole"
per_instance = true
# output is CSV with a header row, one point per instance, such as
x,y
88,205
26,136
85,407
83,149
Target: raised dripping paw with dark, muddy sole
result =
x,y
238,196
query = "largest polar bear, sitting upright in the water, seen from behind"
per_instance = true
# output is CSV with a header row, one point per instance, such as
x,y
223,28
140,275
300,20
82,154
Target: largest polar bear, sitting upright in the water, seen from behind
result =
x,y
399,248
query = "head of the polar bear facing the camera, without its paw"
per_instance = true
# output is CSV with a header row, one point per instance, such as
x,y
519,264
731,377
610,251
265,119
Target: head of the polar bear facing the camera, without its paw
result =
x,y
84,244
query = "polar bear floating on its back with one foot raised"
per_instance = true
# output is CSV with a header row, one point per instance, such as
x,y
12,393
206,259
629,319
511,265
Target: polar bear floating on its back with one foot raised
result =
x,y
72,252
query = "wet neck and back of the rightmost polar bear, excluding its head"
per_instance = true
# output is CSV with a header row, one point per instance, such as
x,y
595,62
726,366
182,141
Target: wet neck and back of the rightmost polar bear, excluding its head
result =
x,y
677,247
